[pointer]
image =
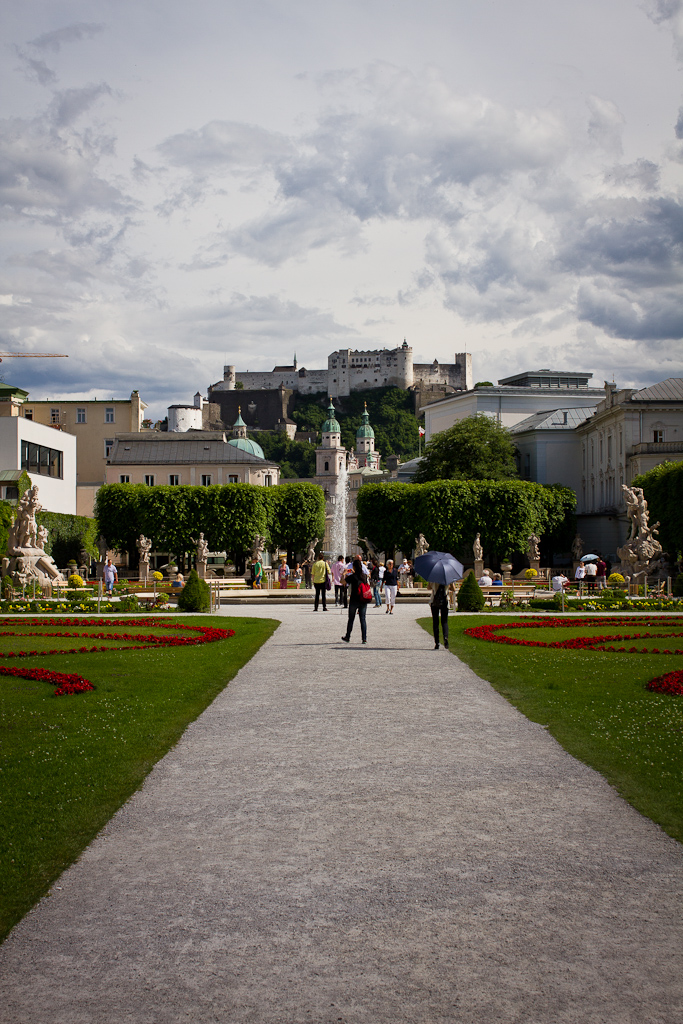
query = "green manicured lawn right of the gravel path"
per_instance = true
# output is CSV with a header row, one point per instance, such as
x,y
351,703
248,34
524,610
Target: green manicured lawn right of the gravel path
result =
x,y
595,705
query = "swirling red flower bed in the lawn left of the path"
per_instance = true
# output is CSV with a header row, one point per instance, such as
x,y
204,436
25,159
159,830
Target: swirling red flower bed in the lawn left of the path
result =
x,y
68,685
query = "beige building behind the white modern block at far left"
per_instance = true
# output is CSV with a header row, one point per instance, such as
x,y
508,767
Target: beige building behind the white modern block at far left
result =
x,y
96,424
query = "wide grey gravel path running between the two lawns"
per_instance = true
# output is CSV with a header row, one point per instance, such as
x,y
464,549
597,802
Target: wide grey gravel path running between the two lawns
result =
x,y
360,835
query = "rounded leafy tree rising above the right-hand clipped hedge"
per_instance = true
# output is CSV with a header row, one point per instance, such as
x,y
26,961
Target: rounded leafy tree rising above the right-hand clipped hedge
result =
x,y
475,449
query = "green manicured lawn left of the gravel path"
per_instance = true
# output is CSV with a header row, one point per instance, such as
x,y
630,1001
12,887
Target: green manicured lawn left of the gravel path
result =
x,y
68,763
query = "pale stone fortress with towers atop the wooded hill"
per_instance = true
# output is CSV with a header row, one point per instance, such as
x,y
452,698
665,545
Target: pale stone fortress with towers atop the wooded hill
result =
x,y
351,370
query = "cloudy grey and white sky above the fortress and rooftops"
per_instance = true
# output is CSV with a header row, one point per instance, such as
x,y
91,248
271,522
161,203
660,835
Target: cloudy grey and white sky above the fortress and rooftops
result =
x,y
189,186
